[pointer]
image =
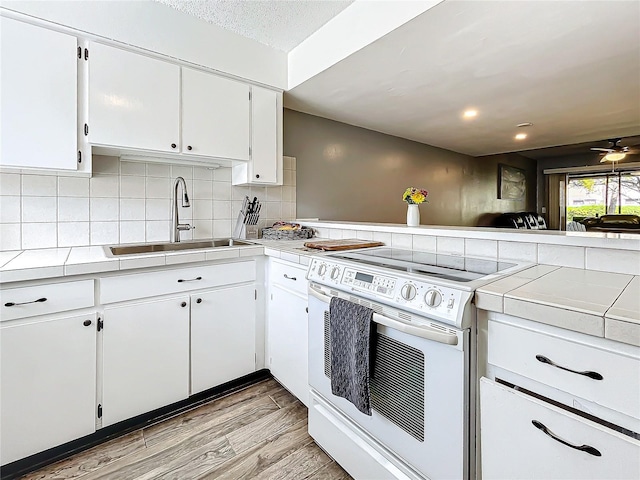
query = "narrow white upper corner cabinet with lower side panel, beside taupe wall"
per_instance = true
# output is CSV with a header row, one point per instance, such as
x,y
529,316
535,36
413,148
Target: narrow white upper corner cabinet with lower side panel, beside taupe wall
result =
x,y
265,165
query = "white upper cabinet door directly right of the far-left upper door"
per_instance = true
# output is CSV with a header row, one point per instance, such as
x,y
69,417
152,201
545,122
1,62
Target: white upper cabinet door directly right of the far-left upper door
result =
x,y
134,100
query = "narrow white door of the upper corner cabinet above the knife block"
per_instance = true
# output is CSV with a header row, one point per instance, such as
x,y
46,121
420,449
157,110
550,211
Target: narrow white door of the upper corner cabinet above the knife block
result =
x,y
264,135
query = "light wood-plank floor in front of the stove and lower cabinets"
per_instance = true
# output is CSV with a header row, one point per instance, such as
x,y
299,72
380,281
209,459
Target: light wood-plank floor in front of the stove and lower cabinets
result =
x,y
259,432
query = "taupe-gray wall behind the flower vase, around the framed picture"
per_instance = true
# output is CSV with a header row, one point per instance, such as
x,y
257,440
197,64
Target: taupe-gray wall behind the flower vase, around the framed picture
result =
x,y
353,174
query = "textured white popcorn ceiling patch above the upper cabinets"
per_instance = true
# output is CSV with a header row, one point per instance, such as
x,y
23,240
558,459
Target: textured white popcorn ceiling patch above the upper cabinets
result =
x,y
281,24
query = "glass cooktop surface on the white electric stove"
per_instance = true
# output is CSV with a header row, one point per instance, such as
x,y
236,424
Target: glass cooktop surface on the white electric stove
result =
x,y
448,267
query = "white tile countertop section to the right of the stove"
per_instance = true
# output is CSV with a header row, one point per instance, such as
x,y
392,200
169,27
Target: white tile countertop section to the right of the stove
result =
x,y
594,303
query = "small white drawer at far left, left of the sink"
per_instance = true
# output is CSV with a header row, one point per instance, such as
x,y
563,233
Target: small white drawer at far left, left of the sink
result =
x,y
46,298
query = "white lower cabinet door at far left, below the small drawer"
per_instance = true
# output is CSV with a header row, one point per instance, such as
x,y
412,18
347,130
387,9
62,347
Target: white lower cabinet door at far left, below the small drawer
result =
x,y
48,384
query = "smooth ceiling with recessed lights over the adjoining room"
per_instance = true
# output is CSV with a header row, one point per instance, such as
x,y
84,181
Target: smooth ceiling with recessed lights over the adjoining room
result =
x,y
571,68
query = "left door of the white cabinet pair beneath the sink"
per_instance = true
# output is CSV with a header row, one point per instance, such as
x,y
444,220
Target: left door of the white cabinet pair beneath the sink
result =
x,y
145,357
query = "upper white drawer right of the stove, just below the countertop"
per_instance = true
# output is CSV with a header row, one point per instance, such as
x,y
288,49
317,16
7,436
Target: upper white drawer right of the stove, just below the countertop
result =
x,y
603,376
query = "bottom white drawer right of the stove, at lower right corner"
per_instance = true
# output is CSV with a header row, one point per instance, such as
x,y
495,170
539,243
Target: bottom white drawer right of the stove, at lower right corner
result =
x,y
514,443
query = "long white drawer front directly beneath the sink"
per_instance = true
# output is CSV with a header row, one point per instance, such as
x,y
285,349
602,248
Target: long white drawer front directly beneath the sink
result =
x,y
141,285
